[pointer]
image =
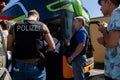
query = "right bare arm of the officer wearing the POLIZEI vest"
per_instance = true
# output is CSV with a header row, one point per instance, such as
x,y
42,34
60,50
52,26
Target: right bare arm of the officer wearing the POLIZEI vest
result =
x,y
49,39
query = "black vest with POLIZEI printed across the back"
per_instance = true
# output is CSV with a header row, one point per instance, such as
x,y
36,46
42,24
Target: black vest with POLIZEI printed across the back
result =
x,y
28,39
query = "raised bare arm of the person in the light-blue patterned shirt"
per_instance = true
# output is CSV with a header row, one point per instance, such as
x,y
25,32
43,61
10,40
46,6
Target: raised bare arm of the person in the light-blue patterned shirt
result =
x,y
110,38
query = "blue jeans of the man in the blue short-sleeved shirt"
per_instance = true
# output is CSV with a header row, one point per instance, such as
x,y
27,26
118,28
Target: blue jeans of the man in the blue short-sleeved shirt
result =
x,y
78,67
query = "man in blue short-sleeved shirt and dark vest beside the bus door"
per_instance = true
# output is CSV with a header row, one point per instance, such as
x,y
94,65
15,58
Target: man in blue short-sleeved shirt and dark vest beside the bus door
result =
x,y
77,48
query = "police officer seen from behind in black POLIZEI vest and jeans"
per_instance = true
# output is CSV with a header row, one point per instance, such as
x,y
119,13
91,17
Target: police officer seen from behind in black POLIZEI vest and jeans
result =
x,y
26,37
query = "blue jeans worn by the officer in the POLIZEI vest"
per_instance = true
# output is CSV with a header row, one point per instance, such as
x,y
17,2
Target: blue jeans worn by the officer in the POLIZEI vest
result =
x,y
23,71
